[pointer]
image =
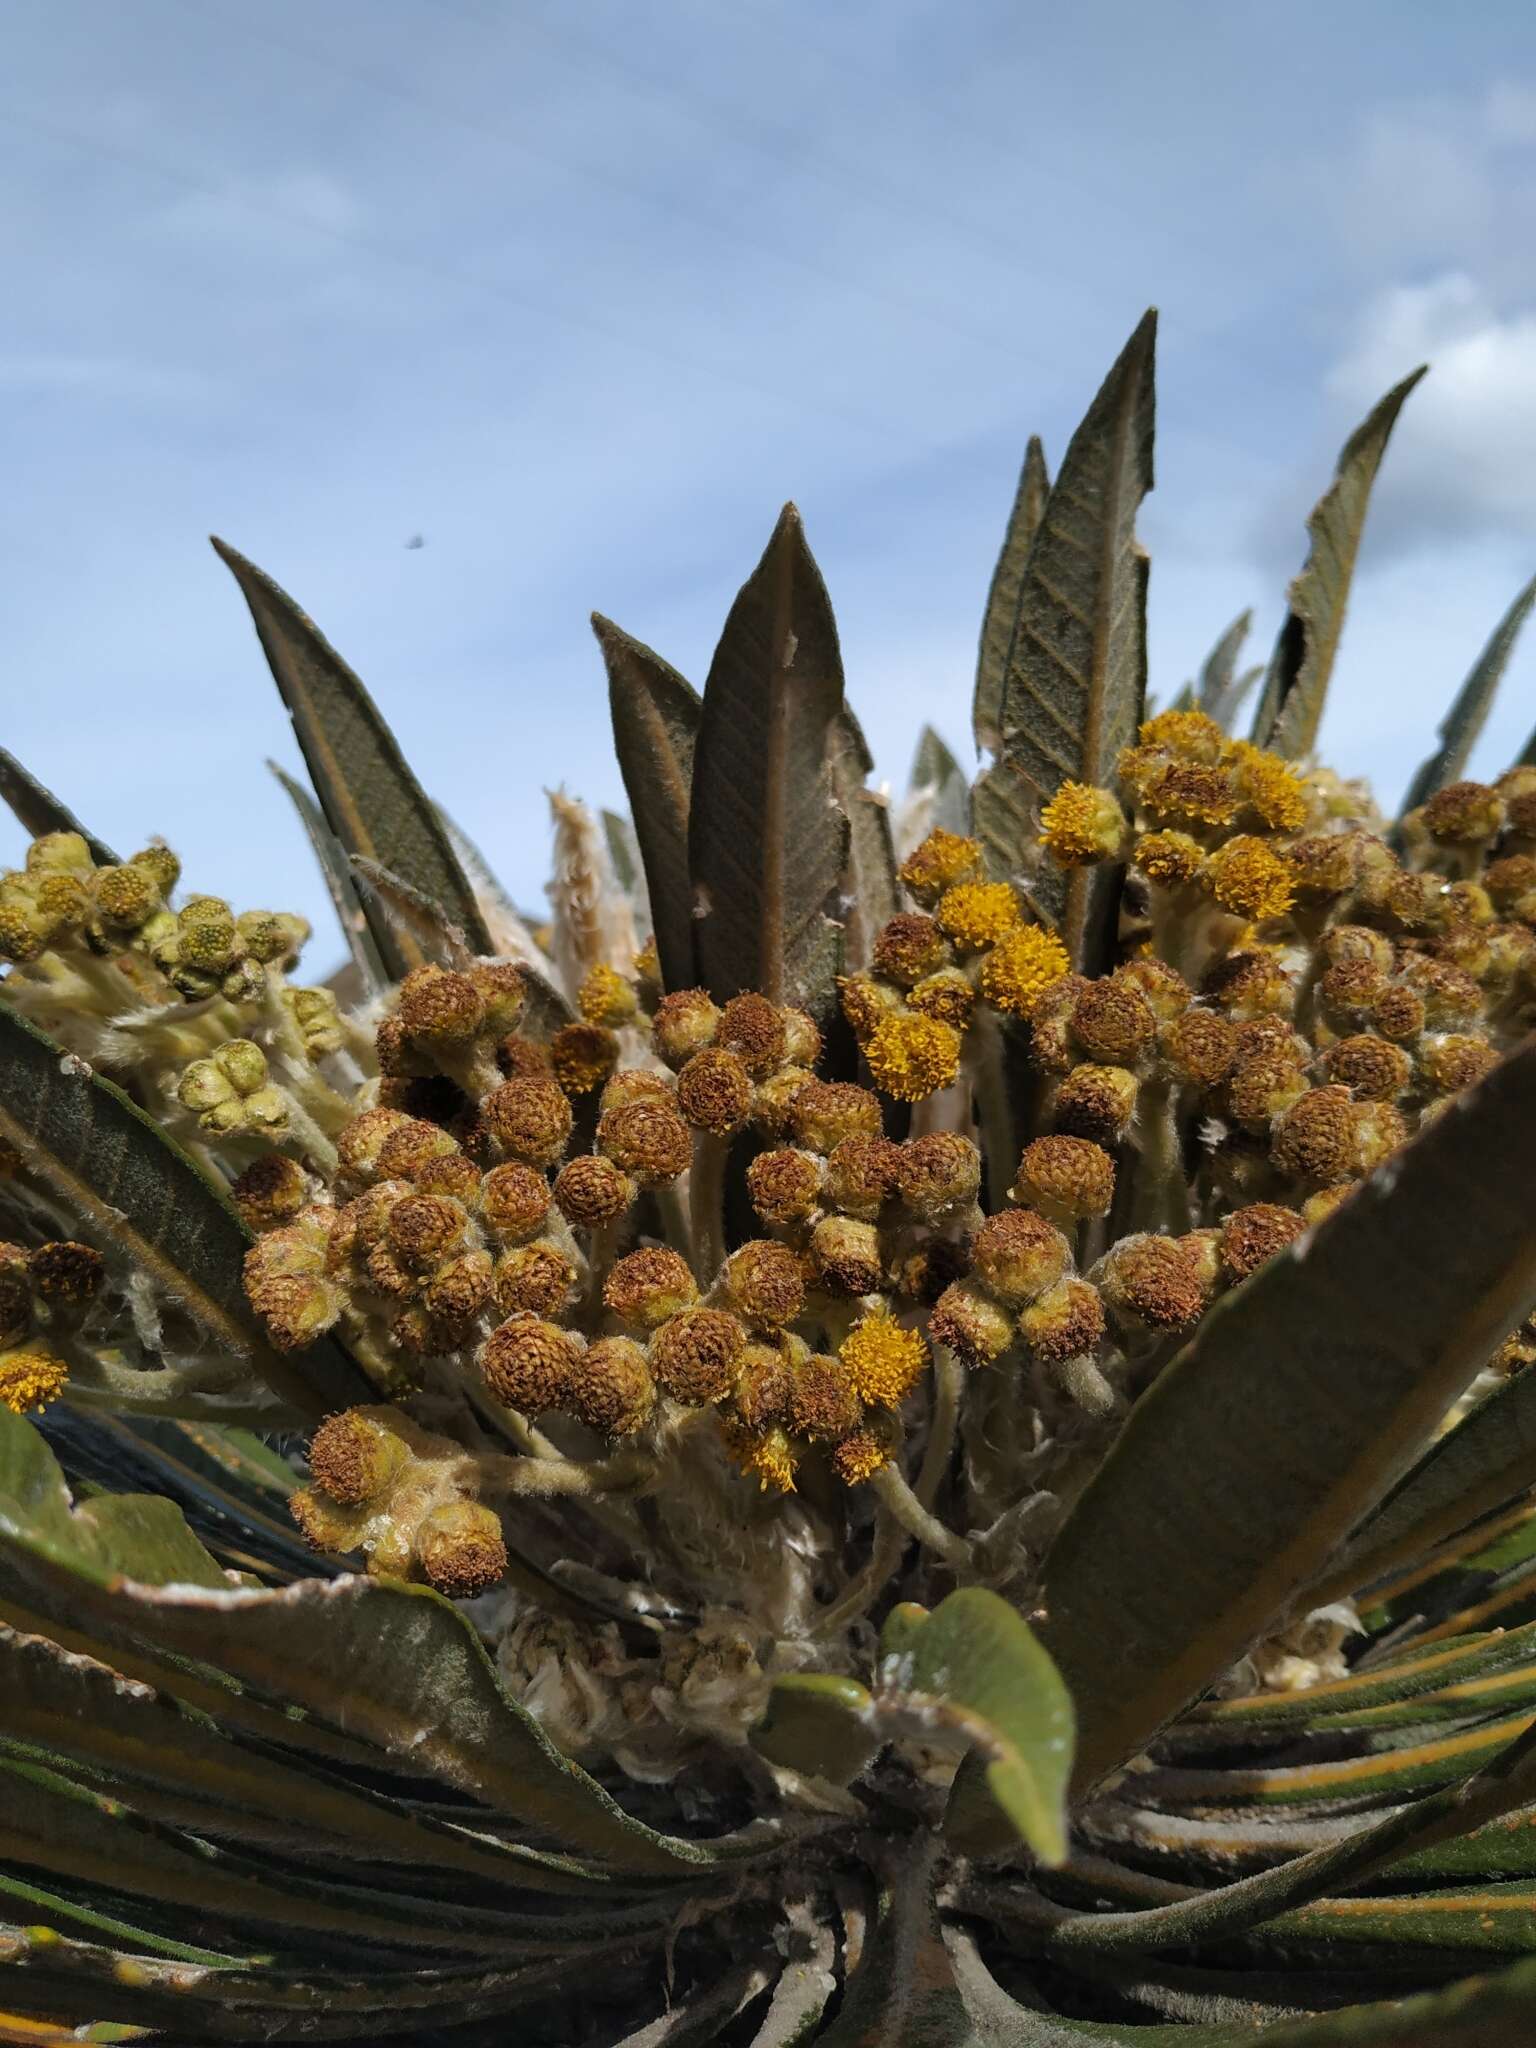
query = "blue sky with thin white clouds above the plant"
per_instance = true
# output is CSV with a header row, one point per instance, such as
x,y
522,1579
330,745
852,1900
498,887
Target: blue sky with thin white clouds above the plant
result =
x,y
583,294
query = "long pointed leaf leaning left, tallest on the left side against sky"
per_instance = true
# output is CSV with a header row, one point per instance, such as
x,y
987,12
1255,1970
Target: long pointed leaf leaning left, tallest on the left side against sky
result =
x,y
372,802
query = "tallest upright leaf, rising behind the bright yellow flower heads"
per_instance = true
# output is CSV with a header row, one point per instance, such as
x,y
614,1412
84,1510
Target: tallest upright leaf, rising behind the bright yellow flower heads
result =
x,y
1078,660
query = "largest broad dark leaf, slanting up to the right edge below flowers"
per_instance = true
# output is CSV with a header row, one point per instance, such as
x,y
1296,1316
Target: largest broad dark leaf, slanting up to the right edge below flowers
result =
x,y
1289,1414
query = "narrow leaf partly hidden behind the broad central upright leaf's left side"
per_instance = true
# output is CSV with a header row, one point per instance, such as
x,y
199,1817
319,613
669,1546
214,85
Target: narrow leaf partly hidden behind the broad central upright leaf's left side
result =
x,y
654,728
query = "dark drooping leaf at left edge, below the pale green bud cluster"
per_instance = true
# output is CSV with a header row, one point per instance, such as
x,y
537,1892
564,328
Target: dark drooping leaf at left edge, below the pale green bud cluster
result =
x,y
138,1193
